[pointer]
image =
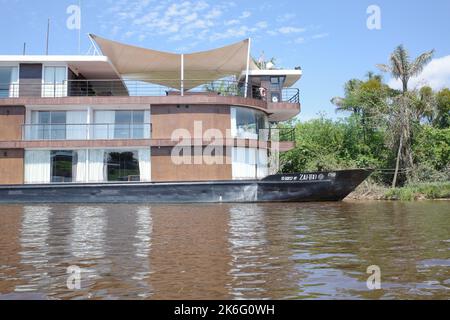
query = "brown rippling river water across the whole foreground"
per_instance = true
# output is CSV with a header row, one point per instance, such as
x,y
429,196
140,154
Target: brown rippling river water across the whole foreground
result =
x,y
229,251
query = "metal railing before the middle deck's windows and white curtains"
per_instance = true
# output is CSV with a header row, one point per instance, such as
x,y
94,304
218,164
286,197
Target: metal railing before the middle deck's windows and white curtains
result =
x,y
97,131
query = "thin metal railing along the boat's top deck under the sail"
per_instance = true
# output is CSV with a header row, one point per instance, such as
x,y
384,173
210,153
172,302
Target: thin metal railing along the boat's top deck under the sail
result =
x,y
150,88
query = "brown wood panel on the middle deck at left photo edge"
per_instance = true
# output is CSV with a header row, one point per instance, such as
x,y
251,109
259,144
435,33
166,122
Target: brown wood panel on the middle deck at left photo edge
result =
x,y
11,120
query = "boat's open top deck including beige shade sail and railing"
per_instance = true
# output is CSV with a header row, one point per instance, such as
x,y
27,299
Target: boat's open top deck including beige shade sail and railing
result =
x,y
132,75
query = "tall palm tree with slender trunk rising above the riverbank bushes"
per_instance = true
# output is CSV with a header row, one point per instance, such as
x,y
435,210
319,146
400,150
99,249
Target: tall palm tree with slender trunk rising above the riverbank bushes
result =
x,y
401,67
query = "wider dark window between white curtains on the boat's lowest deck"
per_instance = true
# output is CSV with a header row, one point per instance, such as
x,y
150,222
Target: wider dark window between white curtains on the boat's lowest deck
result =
x,y
123,166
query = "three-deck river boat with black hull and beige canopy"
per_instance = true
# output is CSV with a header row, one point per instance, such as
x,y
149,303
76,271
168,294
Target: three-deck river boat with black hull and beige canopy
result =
x,y
130,124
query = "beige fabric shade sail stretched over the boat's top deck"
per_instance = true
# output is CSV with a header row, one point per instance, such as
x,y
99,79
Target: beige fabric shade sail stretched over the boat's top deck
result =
x,y
164,68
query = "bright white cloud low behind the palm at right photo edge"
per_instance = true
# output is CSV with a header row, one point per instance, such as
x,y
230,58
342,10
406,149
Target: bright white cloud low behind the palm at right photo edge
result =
x,y
436,75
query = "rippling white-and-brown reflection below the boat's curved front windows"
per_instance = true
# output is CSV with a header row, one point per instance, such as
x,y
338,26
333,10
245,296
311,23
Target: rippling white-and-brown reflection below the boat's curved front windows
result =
x,y
260,264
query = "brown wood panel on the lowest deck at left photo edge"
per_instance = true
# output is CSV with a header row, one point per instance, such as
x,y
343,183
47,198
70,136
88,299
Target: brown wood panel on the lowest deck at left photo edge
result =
x,y
11,166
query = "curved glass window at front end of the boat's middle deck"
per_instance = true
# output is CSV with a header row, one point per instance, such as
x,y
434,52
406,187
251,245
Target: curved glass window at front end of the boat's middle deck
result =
x,y
248,123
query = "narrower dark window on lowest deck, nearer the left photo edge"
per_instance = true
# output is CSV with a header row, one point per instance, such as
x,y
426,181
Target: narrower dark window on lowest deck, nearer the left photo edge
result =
x,y
62,163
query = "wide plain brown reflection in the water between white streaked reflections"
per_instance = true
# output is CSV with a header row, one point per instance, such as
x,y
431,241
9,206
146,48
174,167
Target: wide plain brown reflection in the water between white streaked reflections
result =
x,y
189,256
